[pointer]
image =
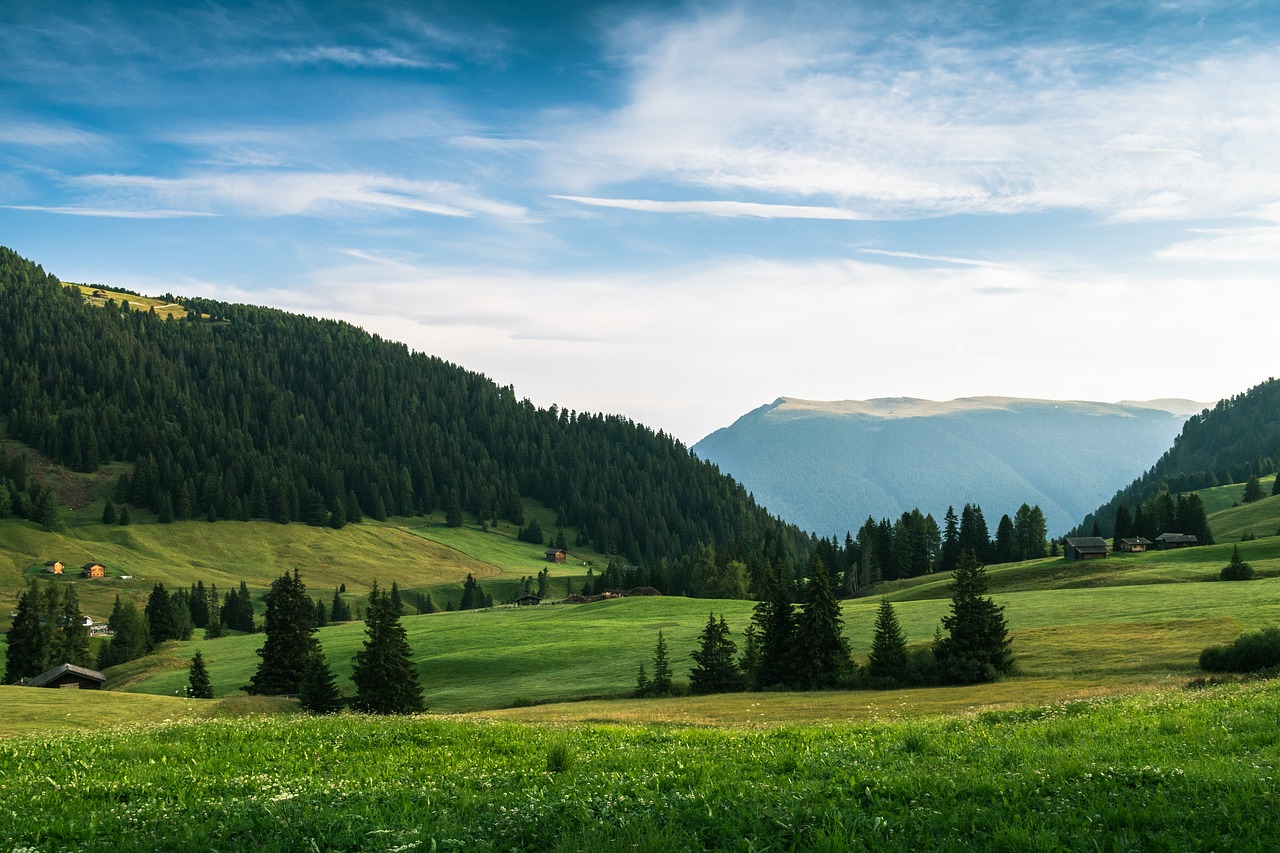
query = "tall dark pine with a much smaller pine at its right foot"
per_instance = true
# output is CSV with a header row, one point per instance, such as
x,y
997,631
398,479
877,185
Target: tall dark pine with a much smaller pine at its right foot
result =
x,y
290,628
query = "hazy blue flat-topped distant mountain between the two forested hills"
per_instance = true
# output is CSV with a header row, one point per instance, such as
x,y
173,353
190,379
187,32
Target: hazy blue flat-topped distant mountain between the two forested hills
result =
x,y
828,467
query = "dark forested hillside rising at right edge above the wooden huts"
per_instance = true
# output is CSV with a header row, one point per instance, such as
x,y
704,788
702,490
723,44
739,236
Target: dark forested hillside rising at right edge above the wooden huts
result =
x,y
1236,440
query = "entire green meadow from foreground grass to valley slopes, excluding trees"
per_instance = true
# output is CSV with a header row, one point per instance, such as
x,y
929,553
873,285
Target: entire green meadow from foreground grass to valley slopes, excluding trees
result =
x,y
1096,743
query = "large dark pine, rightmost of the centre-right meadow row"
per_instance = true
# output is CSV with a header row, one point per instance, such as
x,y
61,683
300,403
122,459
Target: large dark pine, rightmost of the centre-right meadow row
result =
x,y
979,647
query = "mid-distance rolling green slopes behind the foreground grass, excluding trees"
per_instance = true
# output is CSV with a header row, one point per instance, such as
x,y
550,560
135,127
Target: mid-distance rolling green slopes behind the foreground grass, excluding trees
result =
x,y
1077,627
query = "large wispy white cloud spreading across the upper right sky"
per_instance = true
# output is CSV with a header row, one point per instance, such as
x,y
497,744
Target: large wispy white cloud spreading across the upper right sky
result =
x,y
740,104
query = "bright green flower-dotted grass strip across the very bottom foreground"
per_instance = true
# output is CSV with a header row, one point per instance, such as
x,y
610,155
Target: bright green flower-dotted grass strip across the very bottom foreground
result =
x,y
1164,772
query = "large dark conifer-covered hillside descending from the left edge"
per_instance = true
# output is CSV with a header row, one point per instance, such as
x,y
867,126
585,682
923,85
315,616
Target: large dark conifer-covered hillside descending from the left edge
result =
x,y
252,413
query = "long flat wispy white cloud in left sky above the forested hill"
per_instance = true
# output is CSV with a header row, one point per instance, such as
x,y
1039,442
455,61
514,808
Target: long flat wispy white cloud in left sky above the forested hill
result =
x,y
281,194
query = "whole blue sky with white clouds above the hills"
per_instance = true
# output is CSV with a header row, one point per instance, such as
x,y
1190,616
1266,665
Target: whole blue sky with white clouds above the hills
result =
x,y
680,212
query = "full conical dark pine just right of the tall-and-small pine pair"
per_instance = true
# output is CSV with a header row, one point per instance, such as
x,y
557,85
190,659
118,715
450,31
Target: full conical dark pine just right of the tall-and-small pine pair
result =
x,y
383,670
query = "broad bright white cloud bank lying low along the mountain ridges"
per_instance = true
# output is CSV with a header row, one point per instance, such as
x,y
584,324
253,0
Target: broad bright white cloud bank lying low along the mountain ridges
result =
x,y
691,349
